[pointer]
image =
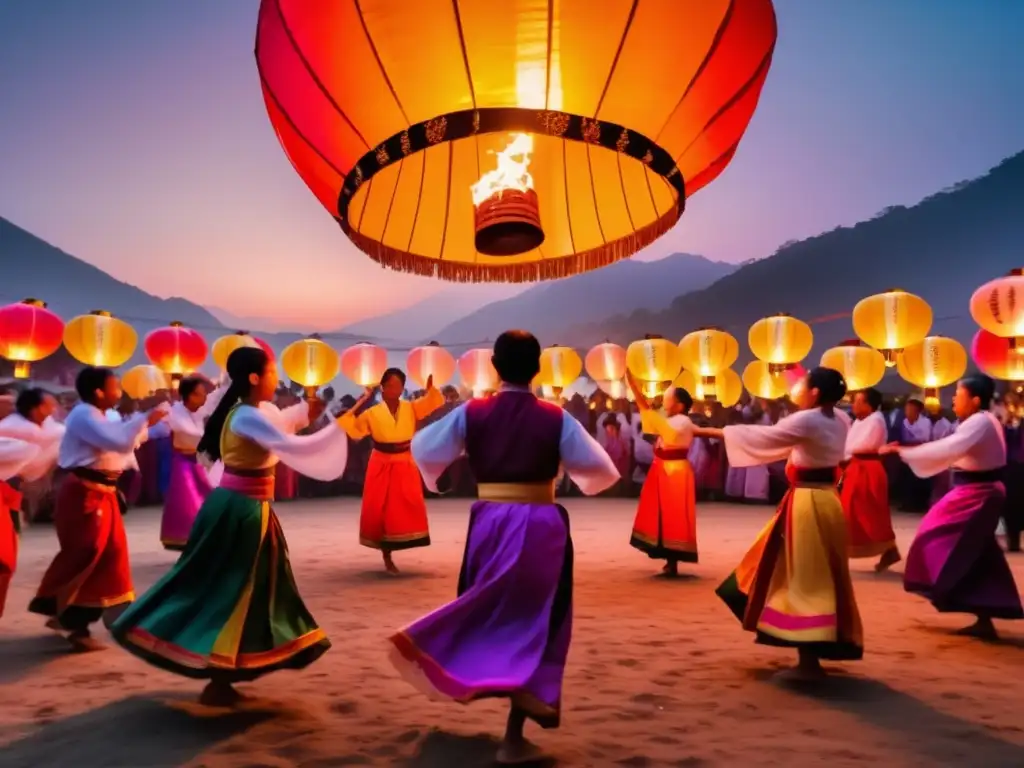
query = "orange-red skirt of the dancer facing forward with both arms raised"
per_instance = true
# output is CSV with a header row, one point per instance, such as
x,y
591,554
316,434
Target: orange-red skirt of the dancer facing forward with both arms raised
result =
x,y
395,514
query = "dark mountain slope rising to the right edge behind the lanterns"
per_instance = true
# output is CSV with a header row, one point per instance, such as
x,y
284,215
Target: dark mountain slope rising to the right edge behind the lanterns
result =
x,y
942,249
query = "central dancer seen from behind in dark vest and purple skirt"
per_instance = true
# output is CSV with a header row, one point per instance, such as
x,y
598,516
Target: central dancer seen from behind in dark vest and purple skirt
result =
x,y
507,634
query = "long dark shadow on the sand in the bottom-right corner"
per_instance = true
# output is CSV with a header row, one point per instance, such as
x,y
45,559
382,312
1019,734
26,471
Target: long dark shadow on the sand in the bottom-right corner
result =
x,y
933,735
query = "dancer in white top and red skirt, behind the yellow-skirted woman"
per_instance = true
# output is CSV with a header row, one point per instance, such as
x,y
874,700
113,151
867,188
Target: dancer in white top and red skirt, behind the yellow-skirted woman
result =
x,y
865,486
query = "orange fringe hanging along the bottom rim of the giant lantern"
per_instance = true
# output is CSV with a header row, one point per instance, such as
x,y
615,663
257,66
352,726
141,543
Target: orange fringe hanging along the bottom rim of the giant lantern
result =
x,y
530,272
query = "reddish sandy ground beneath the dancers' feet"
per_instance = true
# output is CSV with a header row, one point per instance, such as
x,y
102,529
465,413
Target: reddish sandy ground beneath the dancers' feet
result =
x,y
660,672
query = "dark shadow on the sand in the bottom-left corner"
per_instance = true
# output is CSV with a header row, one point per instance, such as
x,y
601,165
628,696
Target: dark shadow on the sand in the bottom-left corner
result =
x,y
94,739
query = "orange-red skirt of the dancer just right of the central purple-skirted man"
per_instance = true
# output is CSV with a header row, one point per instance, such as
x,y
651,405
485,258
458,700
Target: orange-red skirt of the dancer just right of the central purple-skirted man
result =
x,y
666,526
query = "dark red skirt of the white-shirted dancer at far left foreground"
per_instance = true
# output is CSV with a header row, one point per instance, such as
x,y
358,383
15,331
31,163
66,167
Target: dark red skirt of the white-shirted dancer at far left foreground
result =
x,y
92,571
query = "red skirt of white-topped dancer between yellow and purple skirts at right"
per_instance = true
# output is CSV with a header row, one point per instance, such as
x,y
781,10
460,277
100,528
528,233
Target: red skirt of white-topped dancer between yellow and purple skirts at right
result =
x,y
865,494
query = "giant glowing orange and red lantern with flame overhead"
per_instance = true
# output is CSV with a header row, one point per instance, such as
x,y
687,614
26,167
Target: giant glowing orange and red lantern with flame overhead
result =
x,y
479,142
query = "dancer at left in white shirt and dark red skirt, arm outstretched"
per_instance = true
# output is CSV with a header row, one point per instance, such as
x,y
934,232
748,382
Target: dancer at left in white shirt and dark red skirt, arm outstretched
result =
x,y
92,573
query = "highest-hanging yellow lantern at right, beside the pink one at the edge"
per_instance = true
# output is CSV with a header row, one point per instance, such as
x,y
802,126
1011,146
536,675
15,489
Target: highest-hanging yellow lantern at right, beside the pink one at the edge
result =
x,y
891,322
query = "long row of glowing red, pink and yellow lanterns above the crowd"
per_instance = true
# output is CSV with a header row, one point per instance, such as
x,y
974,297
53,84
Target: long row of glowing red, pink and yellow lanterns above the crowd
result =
x,y
892,328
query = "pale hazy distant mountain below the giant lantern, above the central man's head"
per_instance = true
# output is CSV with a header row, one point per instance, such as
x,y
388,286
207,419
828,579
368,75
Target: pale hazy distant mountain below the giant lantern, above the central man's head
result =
x,y
548,309
